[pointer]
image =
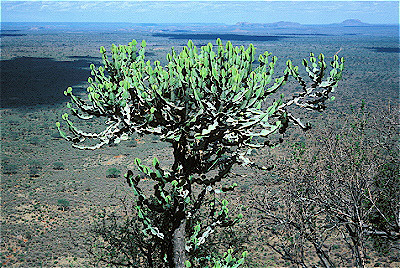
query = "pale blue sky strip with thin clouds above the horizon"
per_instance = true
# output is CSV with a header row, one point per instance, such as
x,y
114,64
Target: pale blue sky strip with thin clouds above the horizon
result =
x,y
228,12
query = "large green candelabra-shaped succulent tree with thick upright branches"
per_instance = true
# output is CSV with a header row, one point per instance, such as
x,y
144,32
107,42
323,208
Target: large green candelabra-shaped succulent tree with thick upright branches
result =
x,y
211,104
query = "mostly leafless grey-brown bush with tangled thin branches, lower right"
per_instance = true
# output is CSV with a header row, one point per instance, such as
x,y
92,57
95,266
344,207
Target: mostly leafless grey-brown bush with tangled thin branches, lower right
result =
x,y
331,195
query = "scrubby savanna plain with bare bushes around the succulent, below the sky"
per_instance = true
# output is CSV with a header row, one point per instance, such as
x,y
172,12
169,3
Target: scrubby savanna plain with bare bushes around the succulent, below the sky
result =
x,y
56,201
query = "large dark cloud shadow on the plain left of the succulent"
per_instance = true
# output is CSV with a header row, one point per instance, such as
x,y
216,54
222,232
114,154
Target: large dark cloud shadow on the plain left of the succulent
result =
x,y
28,81
